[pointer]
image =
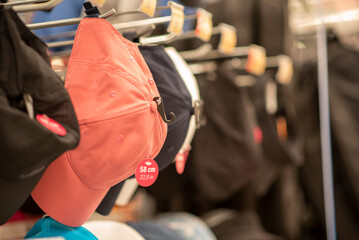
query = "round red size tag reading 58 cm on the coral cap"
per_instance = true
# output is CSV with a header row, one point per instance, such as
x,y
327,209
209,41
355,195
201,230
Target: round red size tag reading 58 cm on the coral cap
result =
x,y
146,172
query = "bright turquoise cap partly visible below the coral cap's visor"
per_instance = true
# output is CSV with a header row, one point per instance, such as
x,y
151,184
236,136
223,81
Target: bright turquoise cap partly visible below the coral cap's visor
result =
x,y
48,227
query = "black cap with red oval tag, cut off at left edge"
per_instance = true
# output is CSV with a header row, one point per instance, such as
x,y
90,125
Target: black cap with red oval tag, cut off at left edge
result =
x,y
28,145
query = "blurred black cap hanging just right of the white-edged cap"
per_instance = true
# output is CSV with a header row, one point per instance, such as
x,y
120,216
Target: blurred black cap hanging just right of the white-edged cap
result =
x,y
224,156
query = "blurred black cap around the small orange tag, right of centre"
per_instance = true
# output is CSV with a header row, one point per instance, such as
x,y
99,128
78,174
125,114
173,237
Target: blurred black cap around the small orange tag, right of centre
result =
x,y
277,152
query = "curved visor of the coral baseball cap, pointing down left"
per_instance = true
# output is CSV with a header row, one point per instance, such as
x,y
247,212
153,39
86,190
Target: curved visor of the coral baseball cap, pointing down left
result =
x,y
64,197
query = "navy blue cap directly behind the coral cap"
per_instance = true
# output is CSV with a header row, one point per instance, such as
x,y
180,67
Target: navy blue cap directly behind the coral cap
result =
x,y
177,99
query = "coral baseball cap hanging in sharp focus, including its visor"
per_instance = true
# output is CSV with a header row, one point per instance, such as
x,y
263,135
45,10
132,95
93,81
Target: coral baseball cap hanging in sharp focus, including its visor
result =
x,y
113,94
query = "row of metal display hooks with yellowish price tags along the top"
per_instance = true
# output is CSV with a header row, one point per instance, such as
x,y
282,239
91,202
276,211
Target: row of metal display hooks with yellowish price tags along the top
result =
x,y
251,58
